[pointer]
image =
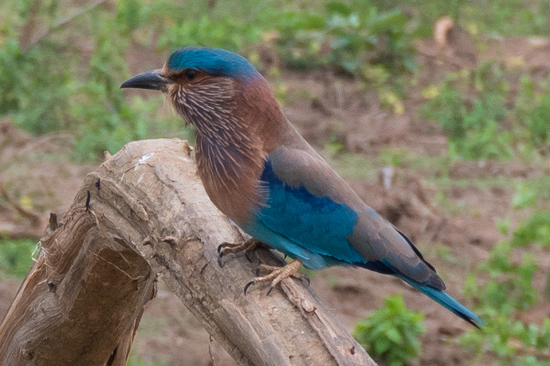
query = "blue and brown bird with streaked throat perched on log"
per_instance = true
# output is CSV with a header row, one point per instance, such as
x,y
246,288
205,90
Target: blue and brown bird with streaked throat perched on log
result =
x,y
263,175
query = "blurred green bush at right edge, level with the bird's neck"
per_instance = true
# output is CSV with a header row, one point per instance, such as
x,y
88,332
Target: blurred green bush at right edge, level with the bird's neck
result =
x,y
484,119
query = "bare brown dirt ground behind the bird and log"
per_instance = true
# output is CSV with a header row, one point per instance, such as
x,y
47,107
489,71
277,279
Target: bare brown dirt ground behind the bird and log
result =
x,y
334,108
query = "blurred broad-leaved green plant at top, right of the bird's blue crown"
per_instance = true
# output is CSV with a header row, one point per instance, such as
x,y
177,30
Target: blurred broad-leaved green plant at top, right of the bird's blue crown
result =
x,y
344,38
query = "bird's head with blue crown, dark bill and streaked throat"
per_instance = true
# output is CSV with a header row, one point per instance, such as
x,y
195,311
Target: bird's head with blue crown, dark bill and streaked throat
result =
x,y
208,87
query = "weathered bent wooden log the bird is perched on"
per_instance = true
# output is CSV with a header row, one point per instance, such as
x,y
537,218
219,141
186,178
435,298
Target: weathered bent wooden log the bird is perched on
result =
x,y
148,215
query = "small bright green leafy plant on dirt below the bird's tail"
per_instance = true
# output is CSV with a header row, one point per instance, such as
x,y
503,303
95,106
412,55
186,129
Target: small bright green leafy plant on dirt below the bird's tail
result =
x,y
392,332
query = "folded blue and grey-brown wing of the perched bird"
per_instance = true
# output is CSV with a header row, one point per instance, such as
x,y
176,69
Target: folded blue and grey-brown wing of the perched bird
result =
x,y
314,207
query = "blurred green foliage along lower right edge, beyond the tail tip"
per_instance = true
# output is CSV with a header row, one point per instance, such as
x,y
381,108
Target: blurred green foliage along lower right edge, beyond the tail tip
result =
x,y
503,288
